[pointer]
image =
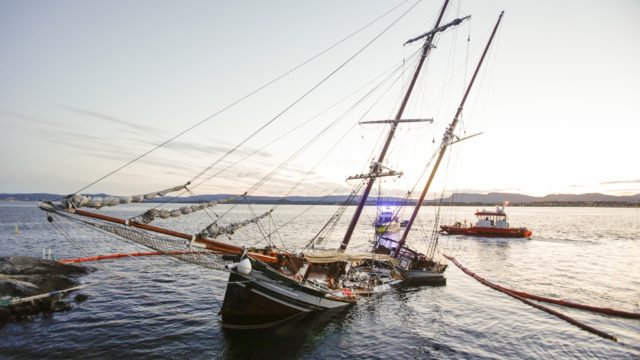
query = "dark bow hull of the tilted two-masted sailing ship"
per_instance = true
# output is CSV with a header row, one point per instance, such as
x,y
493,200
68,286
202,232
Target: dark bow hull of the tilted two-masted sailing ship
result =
x,y
264,299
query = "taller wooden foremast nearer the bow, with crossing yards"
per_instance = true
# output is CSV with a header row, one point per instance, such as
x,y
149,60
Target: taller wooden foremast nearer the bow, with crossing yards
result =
x,y
376,166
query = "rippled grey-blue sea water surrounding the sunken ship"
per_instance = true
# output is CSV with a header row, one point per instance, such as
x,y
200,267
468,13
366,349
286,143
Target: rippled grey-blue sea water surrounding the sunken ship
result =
x,y
155,307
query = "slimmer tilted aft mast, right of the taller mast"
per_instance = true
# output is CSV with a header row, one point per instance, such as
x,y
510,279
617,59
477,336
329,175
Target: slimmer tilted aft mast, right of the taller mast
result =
x,y
446,139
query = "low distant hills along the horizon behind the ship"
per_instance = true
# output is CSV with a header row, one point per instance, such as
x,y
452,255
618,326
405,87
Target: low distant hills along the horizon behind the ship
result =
x,y
593,199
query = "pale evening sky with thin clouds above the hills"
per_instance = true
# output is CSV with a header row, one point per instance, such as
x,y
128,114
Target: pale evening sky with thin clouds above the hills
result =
x,y
85,87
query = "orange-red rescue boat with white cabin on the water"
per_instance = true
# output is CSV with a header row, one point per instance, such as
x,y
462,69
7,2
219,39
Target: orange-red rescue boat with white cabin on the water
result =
x,y
489,224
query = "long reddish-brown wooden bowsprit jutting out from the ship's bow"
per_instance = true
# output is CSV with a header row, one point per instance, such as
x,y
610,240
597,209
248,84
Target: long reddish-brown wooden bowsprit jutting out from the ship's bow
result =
x,y
209,244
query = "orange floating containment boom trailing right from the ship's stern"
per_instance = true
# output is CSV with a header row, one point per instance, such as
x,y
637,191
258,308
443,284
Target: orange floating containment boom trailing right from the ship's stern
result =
x,y
522,296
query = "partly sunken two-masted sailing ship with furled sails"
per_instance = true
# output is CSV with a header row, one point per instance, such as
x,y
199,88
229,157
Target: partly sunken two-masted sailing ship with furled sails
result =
x,y
269,285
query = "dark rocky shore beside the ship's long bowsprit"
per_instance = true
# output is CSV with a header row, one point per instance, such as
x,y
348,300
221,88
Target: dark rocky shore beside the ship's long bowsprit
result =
x,y
22,277
